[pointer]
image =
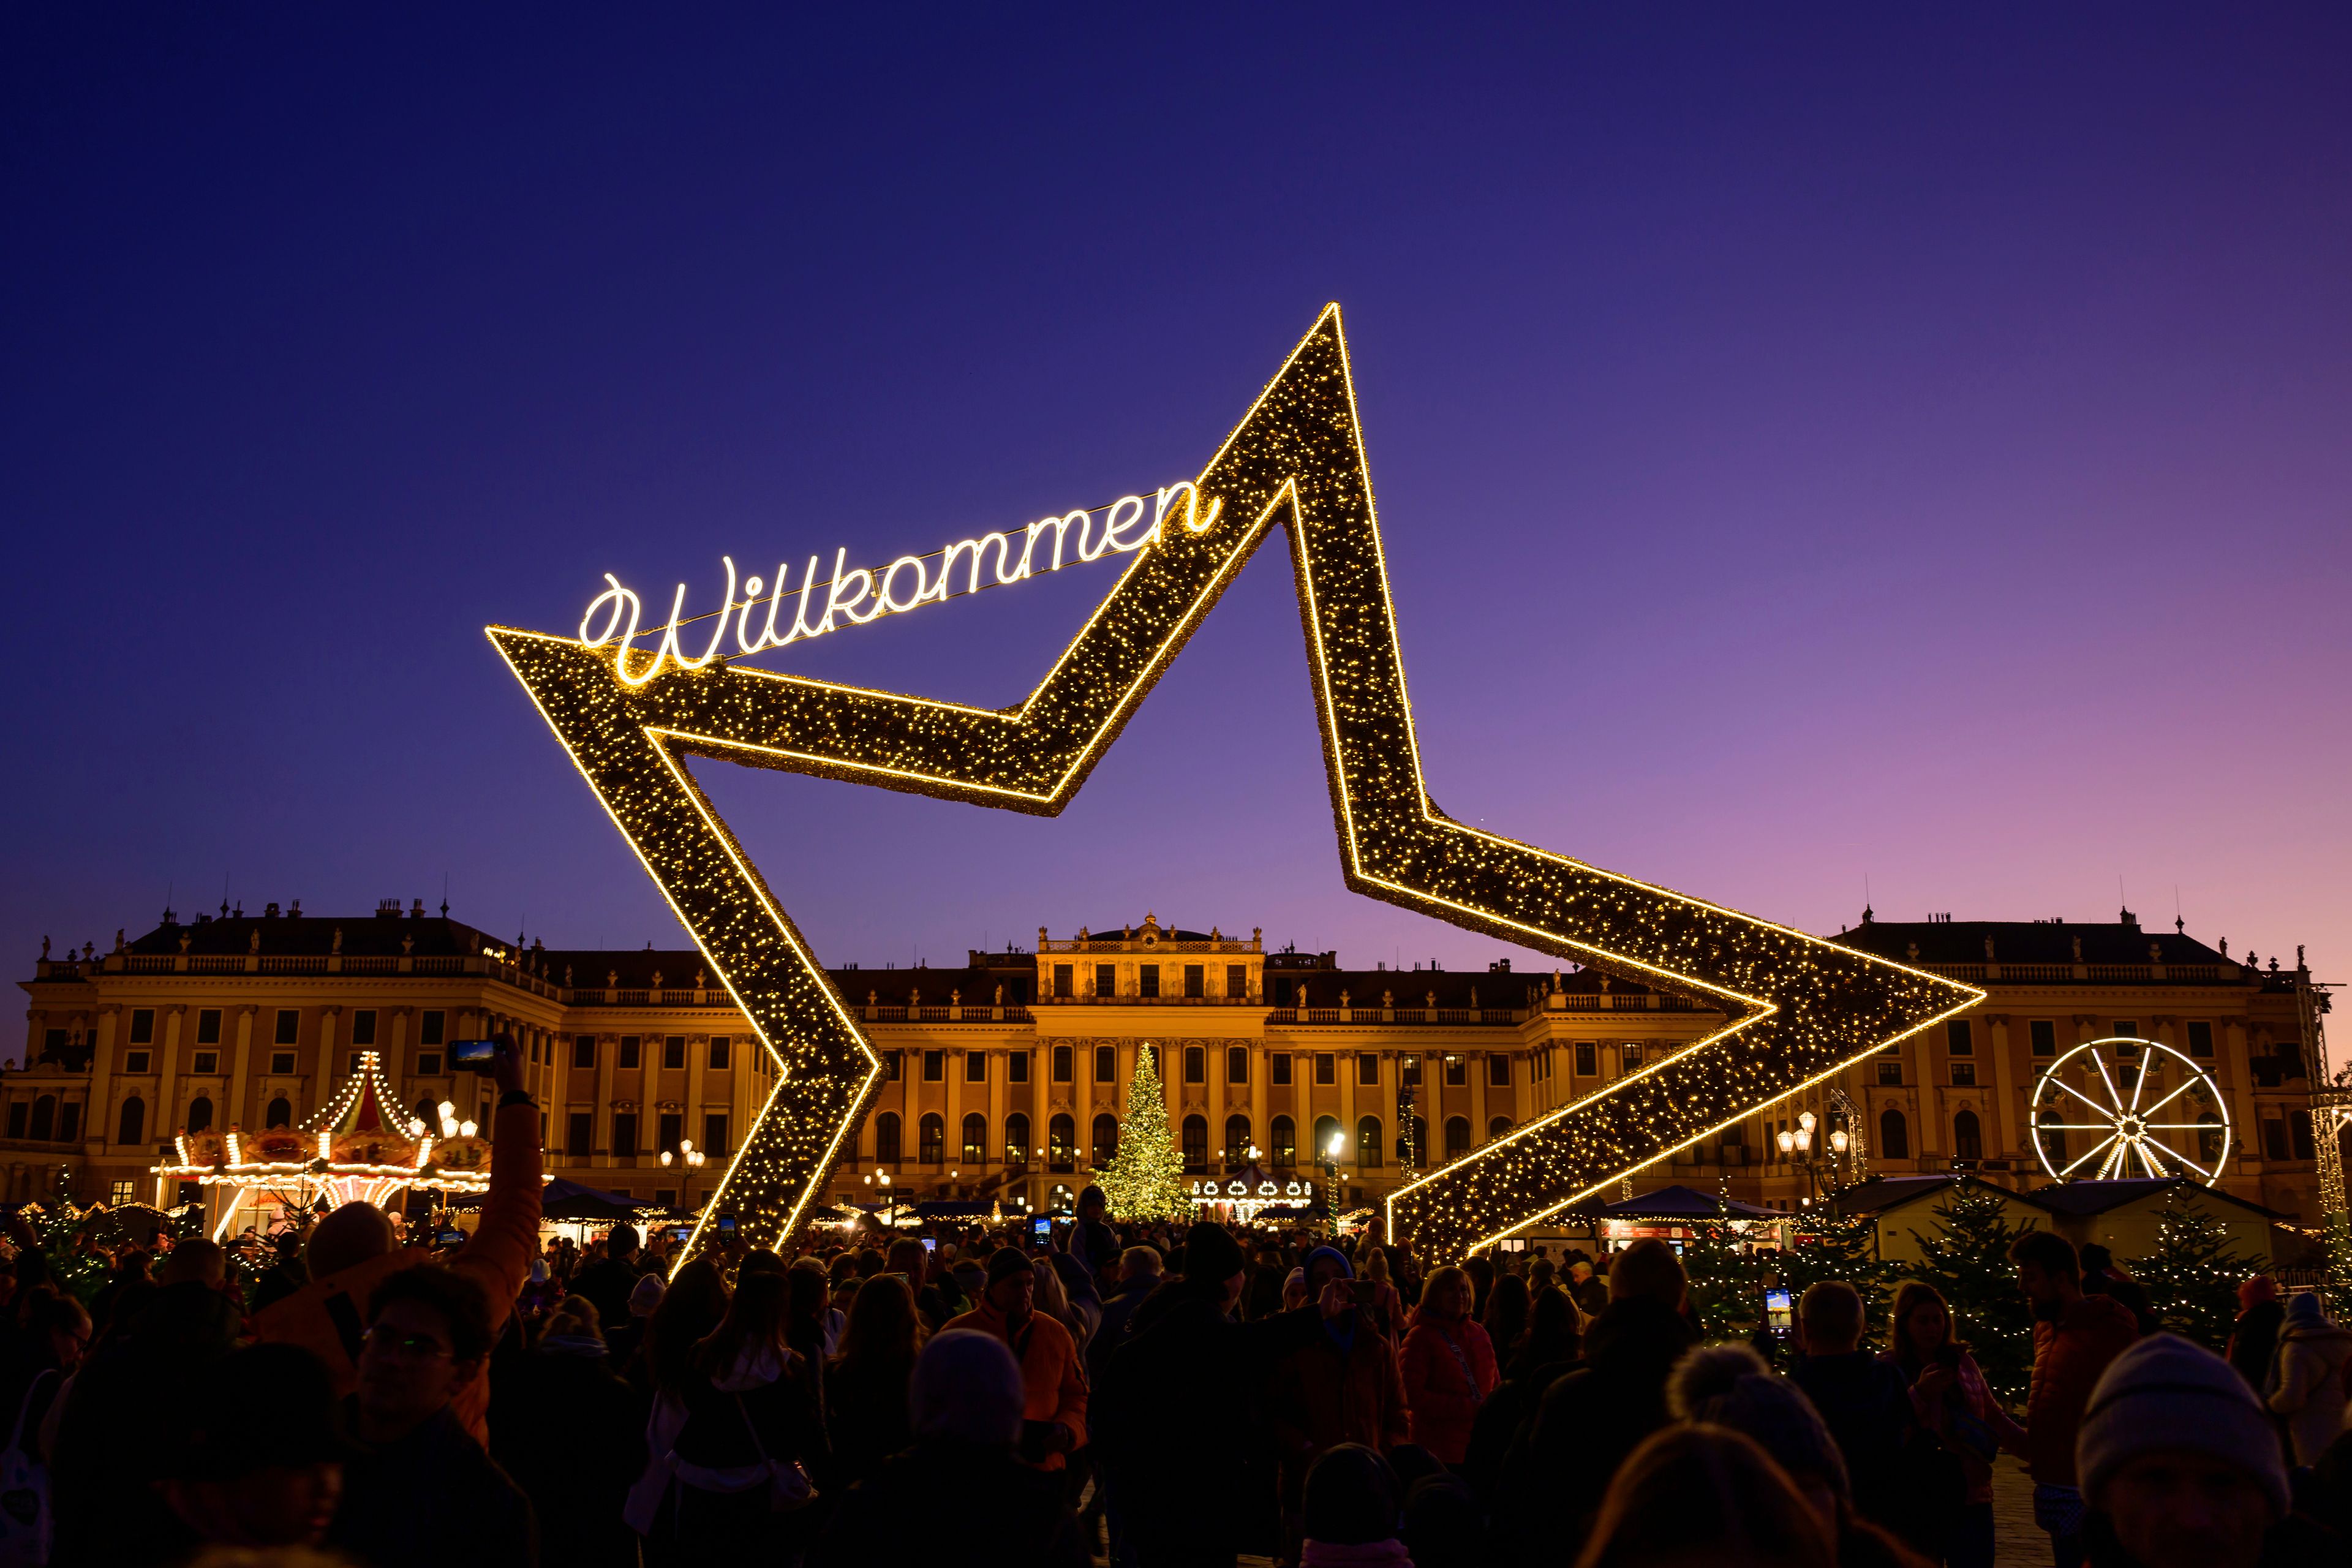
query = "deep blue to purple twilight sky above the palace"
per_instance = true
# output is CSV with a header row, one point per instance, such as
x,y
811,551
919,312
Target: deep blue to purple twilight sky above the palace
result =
x,y
1808,450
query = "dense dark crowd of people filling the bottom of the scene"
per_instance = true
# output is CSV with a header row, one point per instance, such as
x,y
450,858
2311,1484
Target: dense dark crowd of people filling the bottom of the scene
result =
x,y
1132,1395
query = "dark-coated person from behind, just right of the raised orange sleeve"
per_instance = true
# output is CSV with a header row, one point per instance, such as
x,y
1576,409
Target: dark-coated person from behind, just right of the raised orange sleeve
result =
x,y
573,1438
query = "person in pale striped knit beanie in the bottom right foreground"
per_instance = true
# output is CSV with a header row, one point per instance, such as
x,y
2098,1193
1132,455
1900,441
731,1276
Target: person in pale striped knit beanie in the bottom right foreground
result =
x,y
2181,1466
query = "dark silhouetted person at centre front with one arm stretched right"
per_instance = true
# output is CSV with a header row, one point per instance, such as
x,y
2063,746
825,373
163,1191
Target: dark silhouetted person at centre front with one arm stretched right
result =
x,y
1180,1409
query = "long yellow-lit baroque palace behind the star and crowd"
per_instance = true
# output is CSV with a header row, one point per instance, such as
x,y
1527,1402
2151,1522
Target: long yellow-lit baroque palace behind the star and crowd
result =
x,y
1008,1078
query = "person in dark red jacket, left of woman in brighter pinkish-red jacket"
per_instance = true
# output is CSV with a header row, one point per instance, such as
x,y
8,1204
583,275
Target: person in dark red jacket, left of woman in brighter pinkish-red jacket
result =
x,y
1342,1388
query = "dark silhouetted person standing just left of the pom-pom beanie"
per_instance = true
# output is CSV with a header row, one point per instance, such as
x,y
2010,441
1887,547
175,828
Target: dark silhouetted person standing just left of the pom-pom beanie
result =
x,y
1598,1414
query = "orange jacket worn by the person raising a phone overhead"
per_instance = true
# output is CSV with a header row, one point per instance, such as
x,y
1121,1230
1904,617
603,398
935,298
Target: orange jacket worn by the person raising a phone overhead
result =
x,y
328,1315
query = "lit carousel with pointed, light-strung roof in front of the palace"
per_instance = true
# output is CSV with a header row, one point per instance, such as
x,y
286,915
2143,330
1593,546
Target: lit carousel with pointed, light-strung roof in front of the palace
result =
x,y
356,1151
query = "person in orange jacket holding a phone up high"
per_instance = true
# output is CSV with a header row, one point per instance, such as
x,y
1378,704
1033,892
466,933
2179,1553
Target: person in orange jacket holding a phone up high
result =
x,y
356,1249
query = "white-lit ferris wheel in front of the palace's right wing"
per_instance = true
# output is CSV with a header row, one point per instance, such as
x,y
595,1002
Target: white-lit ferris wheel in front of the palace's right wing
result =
x,y
2125,1113
